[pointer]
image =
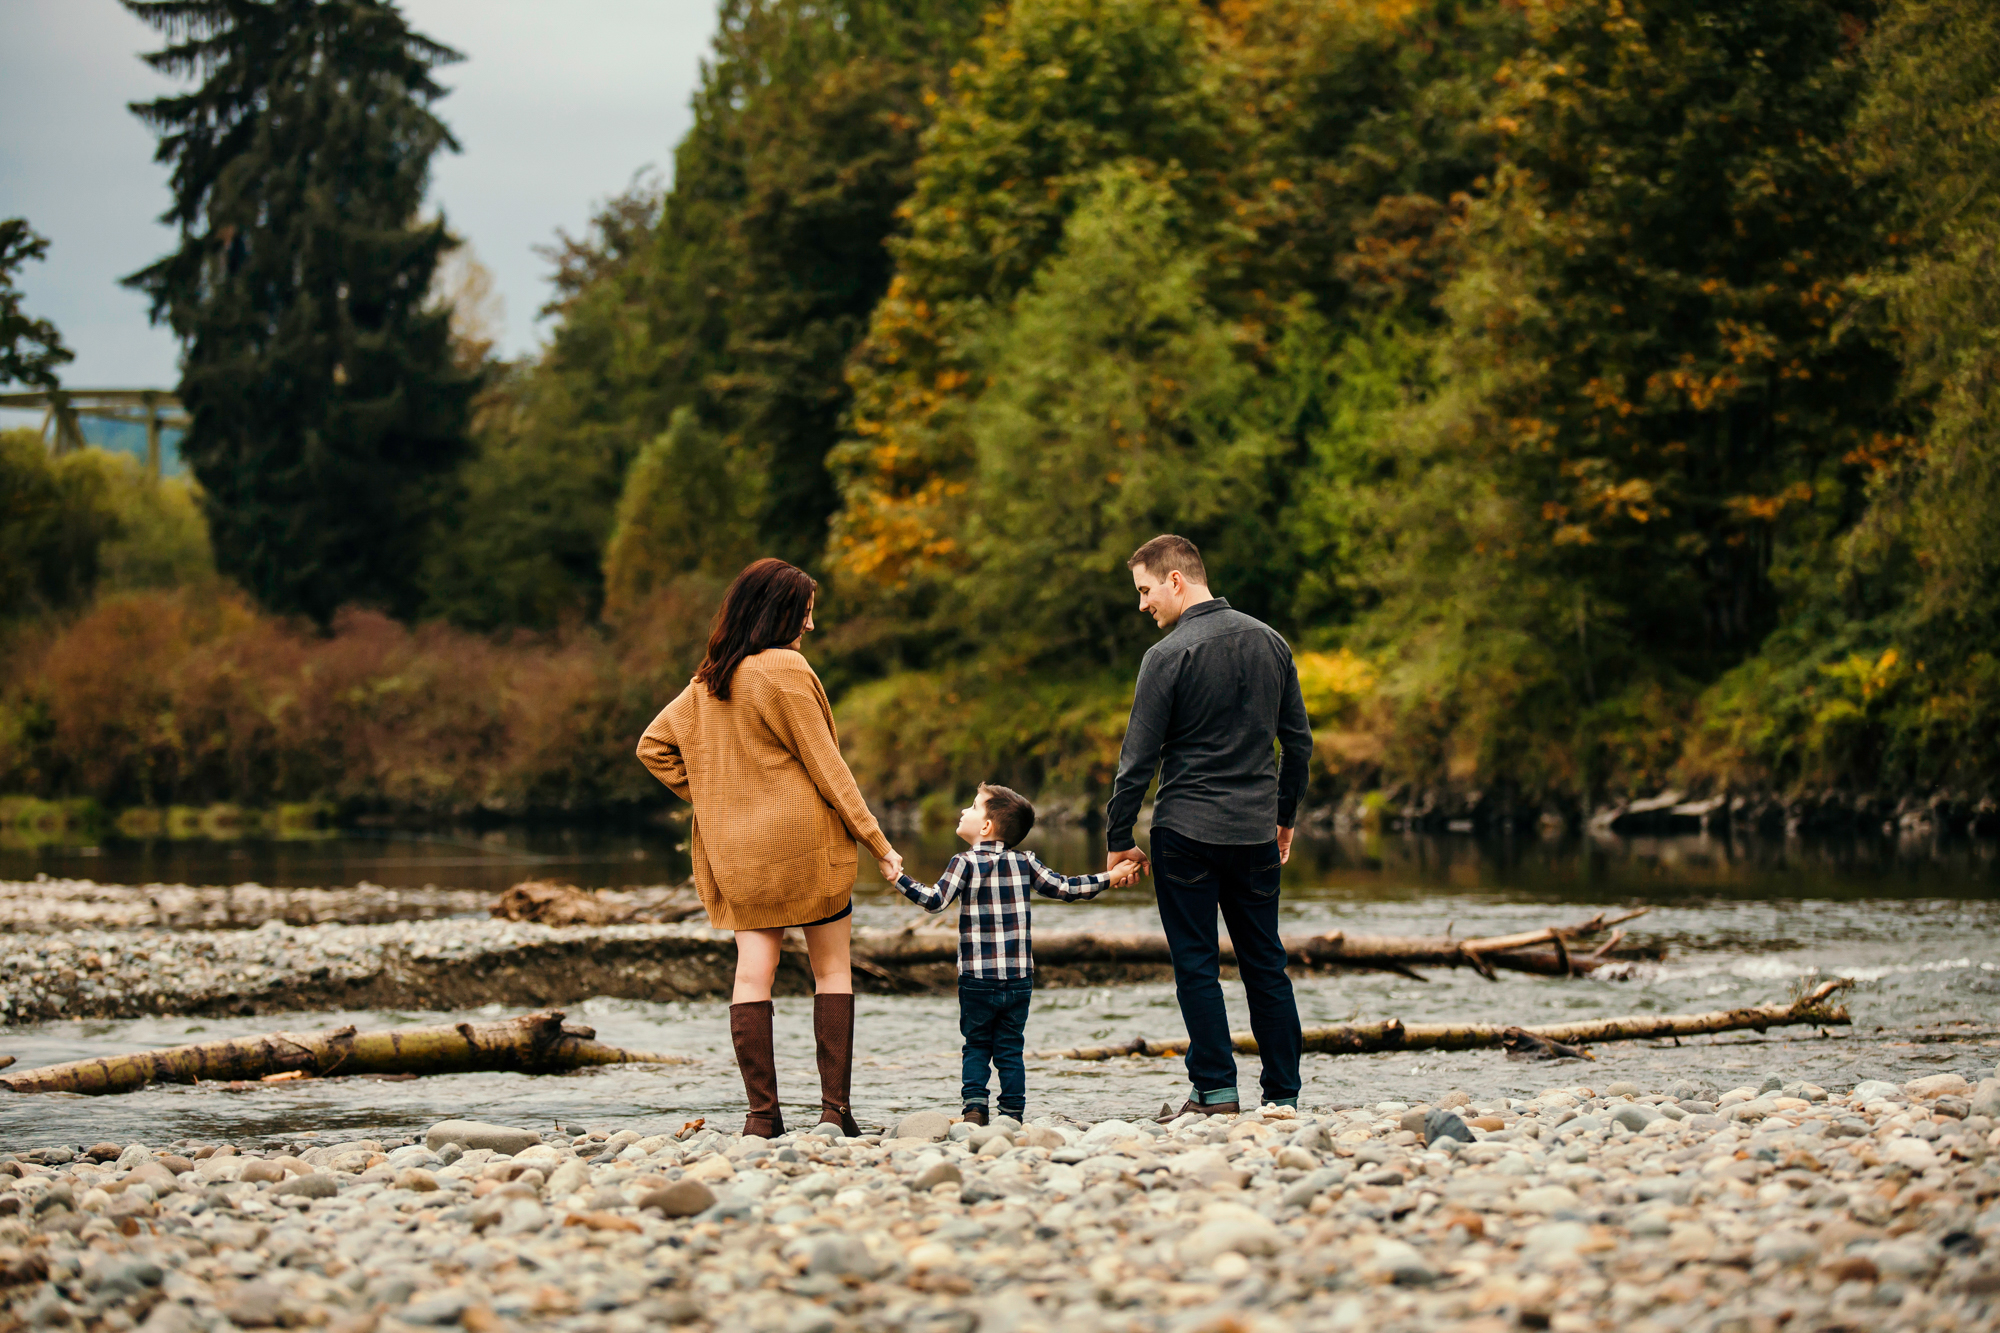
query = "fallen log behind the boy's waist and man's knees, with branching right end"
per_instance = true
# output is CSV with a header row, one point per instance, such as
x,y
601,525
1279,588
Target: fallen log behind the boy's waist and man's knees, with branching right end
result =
x,y
1545,952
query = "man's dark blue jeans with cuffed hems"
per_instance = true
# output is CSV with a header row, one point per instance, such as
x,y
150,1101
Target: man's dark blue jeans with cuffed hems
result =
x,y
1193,880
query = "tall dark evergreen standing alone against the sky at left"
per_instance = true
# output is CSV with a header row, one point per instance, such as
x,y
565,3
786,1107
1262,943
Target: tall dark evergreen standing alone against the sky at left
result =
x,y
317,371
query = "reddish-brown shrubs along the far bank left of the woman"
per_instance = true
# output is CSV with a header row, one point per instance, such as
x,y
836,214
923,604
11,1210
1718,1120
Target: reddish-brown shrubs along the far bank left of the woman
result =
x,y
193,698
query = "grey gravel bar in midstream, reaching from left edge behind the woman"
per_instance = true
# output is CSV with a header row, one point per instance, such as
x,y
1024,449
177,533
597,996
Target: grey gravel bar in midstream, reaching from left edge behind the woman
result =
x,y
471,962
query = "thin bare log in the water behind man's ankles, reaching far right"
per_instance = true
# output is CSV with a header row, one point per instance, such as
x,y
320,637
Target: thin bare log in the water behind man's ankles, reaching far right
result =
x,y
1815,1010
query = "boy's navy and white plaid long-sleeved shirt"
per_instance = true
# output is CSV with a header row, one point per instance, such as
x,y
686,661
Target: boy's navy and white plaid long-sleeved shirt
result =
x,y
993,886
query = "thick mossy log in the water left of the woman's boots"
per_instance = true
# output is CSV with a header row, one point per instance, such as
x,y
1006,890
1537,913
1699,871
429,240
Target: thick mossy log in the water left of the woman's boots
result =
x,y
533,1044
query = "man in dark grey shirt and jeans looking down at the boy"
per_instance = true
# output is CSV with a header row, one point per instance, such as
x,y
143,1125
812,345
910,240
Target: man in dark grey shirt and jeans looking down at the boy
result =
x,y
1211,700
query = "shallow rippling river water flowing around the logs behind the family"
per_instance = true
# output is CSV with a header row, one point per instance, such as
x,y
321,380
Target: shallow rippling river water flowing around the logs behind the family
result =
x,y
1917,930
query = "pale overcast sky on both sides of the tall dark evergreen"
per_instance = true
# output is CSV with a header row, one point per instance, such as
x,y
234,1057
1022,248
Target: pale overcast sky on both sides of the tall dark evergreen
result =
x,y
557,105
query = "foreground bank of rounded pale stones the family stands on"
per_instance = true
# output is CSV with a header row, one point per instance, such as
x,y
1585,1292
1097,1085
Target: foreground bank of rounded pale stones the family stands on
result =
x,y
1579,1210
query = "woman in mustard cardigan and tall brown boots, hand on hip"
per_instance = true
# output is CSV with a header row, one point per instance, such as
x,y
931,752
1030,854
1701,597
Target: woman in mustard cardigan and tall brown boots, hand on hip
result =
x,y
751,744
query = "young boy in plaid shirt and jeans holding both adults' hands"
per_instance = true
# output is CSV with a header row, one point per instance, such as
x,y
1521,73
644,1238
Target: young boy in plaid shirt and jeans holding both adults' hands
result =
x,y
995,956
